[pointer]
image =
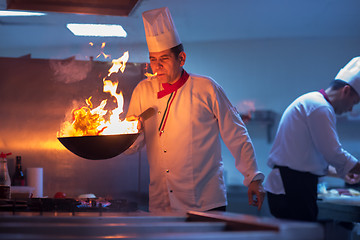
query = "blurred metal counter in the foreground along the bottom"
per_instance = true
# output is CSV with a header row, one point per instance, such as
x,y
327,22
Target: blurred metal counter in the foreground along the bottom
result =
x,y
144,225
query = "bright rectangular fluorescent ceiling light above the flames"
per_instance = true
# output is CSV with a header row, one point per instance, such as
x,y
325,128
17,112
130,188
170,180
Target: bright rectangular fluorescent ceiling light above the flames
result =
x,y
97,30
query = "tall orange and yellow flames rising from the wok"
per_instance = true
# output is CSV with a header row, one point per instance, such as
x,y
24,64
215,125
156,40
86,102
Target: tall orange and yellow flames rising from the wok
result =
x,y
90,120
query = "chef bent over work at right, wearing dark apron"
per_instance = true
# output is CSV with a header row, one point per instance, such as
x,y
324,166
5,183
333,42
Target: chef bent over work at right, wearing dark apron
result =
x,y
306,146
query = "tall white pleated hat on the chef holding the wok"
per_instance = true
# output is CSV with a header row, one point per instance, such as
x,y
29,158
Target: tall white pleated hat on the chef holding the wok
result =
x,y
160,30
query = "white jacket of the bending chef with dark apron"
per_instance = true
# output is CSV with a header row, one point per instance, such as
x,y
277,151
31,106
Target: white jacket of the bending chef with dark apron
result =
x,y
307,141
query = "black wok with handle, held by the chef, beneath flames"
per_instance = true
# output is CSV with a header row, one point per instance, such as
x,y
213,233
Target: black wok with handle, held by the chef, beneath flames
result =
x,y
100,147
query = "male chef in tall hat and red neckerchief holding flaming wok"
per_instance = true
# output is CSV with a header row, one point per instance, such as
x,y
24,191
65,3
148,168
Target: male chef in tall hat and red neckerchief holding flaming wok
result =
x,y
183,138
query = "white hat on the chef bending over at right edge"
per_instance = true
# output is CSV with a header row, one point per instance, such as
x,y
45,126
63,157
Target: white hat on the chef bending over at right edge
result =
x,y
351,74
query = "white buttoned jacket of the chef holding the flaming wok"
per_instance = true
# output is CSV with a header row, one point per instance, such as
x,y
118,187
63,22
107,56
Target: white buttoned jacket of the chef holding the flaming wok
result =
x,y
186,168
